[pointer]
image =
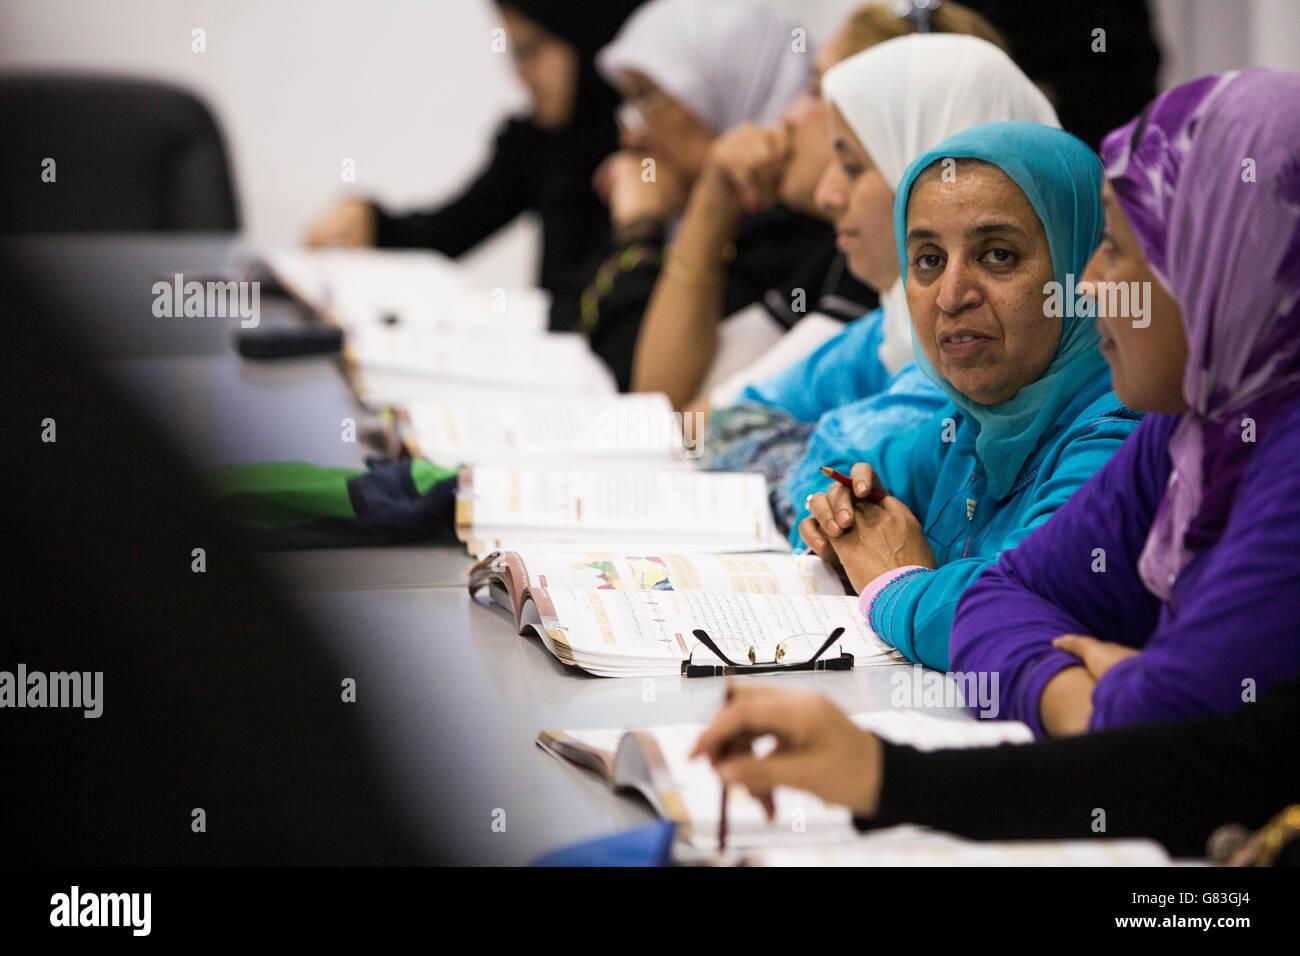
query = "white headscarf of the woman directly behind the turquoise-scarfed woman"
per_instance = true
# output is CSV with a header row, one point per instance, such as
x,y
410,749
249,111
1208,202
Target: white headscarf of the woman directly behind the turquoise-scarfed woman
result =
x,y
908,96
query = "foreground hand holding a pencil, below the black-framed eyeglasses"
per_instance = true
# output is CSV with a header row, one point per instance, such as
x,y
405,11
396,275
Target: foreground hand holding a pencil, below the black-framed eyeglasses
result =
x,y
818,749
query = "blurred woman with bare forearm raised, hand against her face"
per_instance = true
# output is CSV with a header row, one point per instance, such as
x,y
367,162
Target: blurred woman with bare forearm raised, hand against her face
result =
x,y
749,170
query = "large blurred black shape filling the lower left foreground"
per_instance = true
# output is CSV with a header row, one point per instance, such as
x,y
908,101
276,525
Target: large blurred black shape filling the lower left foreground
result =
x,y
214,695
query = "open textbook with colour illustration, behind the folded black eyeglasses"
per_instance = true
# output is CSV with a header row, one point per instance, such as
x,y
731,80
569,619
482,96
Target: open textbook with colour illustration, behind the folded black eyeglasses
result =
x,y
634,615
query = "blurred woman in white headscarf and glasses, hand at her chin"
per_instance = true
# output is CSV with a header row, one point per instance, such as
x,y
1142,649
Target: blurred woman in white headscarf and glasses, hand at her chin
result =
x,y
688,71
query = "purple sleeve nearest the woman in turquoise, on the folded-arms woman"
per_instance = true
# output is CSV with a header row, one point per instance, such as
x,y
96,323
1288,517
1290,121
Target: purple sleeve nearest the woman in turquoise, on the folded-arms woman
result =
x,y
1076,574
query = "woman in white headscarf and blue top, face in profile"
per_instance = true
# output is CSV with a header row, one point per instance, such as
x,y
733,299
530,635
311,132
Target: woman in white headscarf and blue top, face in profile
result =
x,y
890,105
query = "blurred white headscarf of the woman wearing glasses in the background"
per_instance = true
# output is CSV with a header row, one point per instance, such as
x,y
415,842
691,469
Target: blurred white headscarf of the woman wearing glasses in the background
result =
x,y
727,62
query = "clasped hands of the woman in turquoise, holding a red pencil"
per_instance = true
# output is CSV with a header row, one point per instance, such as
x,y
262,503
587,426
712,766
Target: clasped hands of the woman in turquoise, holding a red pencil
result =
x,y
865,539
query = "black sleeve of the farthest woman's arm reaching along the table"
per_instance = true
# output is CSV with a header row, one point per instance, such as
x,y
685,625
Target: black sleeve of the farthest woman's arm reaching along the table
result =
x,y
499,196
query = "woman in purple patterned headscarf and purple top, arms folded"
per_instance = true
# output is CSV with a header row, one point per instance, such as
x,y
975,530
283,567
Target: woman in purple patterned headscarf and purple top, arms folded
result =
x,y
1169,586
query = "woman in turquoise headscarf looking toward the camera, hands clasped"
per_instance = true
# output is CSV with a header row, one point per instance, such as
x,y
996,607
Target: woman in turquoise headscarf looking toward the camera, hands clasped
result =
x,y
993,227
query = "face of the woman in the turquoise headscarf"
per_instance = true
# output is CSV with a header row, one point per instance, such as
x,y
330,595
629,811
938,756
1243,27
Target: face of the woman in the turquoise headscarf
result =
x,y
978,261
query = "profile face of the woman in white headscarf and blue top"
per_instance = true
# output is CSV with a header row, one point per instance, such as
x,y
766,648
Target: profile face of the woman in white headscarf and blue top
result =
x,y
856,198
